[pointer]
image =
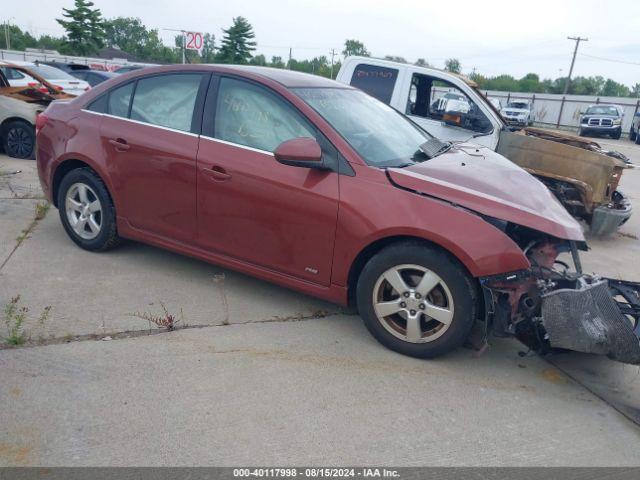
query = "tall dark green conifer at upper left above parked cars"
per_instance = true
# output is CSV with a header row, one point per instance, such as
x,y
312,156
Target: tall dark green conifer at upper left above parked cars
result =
x,y
84,27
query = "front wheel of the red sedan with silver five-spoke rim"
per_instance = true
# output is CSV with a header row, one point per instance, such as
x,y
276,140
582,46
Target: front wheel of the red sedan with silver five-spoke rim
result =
x,y
417,300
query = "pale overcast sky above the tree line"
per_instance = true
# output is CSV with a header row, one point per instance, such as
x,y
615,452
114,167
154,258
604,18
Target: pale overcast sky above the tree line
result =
x,y
494,37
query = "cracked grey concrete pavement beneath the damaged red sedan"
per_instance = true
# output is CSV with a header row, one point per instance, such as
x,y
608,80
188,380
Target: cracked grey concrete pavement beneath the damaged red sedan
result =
x,y
272,377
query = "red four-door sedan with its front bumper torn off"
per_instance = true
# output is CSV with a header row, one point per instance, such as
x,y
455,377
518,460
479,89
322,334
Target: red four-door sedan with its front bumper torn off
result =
x,y
307,183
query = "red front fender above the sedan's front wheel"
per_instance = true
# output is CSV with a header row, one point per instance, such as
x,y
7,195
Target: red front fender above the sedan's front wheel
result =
x,y
391,212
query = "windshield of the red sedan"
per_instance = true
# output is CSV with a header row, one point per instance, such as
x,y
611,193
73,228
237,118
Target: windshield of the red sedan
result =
x,y
380,135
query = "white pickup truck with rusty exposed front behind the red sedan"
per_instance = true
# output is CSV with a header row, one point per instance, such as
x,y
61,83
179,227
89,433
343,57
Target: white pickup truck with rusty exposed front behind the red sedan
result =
x,y
578,171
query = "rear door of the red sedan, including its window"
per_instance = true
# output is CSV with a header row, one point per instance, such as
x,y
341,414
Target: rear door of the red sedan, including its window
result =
x,y
150,135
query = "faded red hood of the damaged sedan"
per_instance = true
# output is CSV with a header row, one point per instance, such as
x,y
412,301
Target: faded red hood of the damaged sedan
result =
x,y
484,181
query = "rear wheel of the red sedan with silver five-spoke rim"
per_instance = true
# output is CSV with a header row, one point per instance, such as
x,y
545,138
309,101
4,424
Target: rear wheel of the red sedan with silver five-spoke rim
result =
x,y
86,210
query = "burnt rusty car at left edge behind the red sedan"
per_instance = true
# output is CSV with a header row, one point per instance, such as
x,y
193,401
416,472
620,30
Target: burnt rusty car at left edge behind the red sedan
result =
x,y
19,108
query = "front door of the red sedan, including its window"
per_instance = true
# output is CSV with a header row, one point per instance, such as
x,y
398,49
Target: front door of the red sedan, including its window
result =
x,y
252,208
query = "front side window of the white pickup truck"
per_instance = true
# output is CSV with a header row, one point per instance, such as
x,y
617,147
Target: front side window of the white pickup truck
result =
x,y
442,101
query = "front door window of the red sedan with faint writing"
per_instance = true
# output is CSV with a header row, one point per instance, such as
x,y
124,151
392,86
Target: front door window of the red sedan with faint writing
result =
x,y
253,116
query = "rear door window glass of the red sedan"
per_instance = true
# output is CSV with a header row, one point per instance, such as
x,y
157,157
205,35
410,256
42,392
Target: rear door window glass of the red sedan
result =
x,y
166,100
